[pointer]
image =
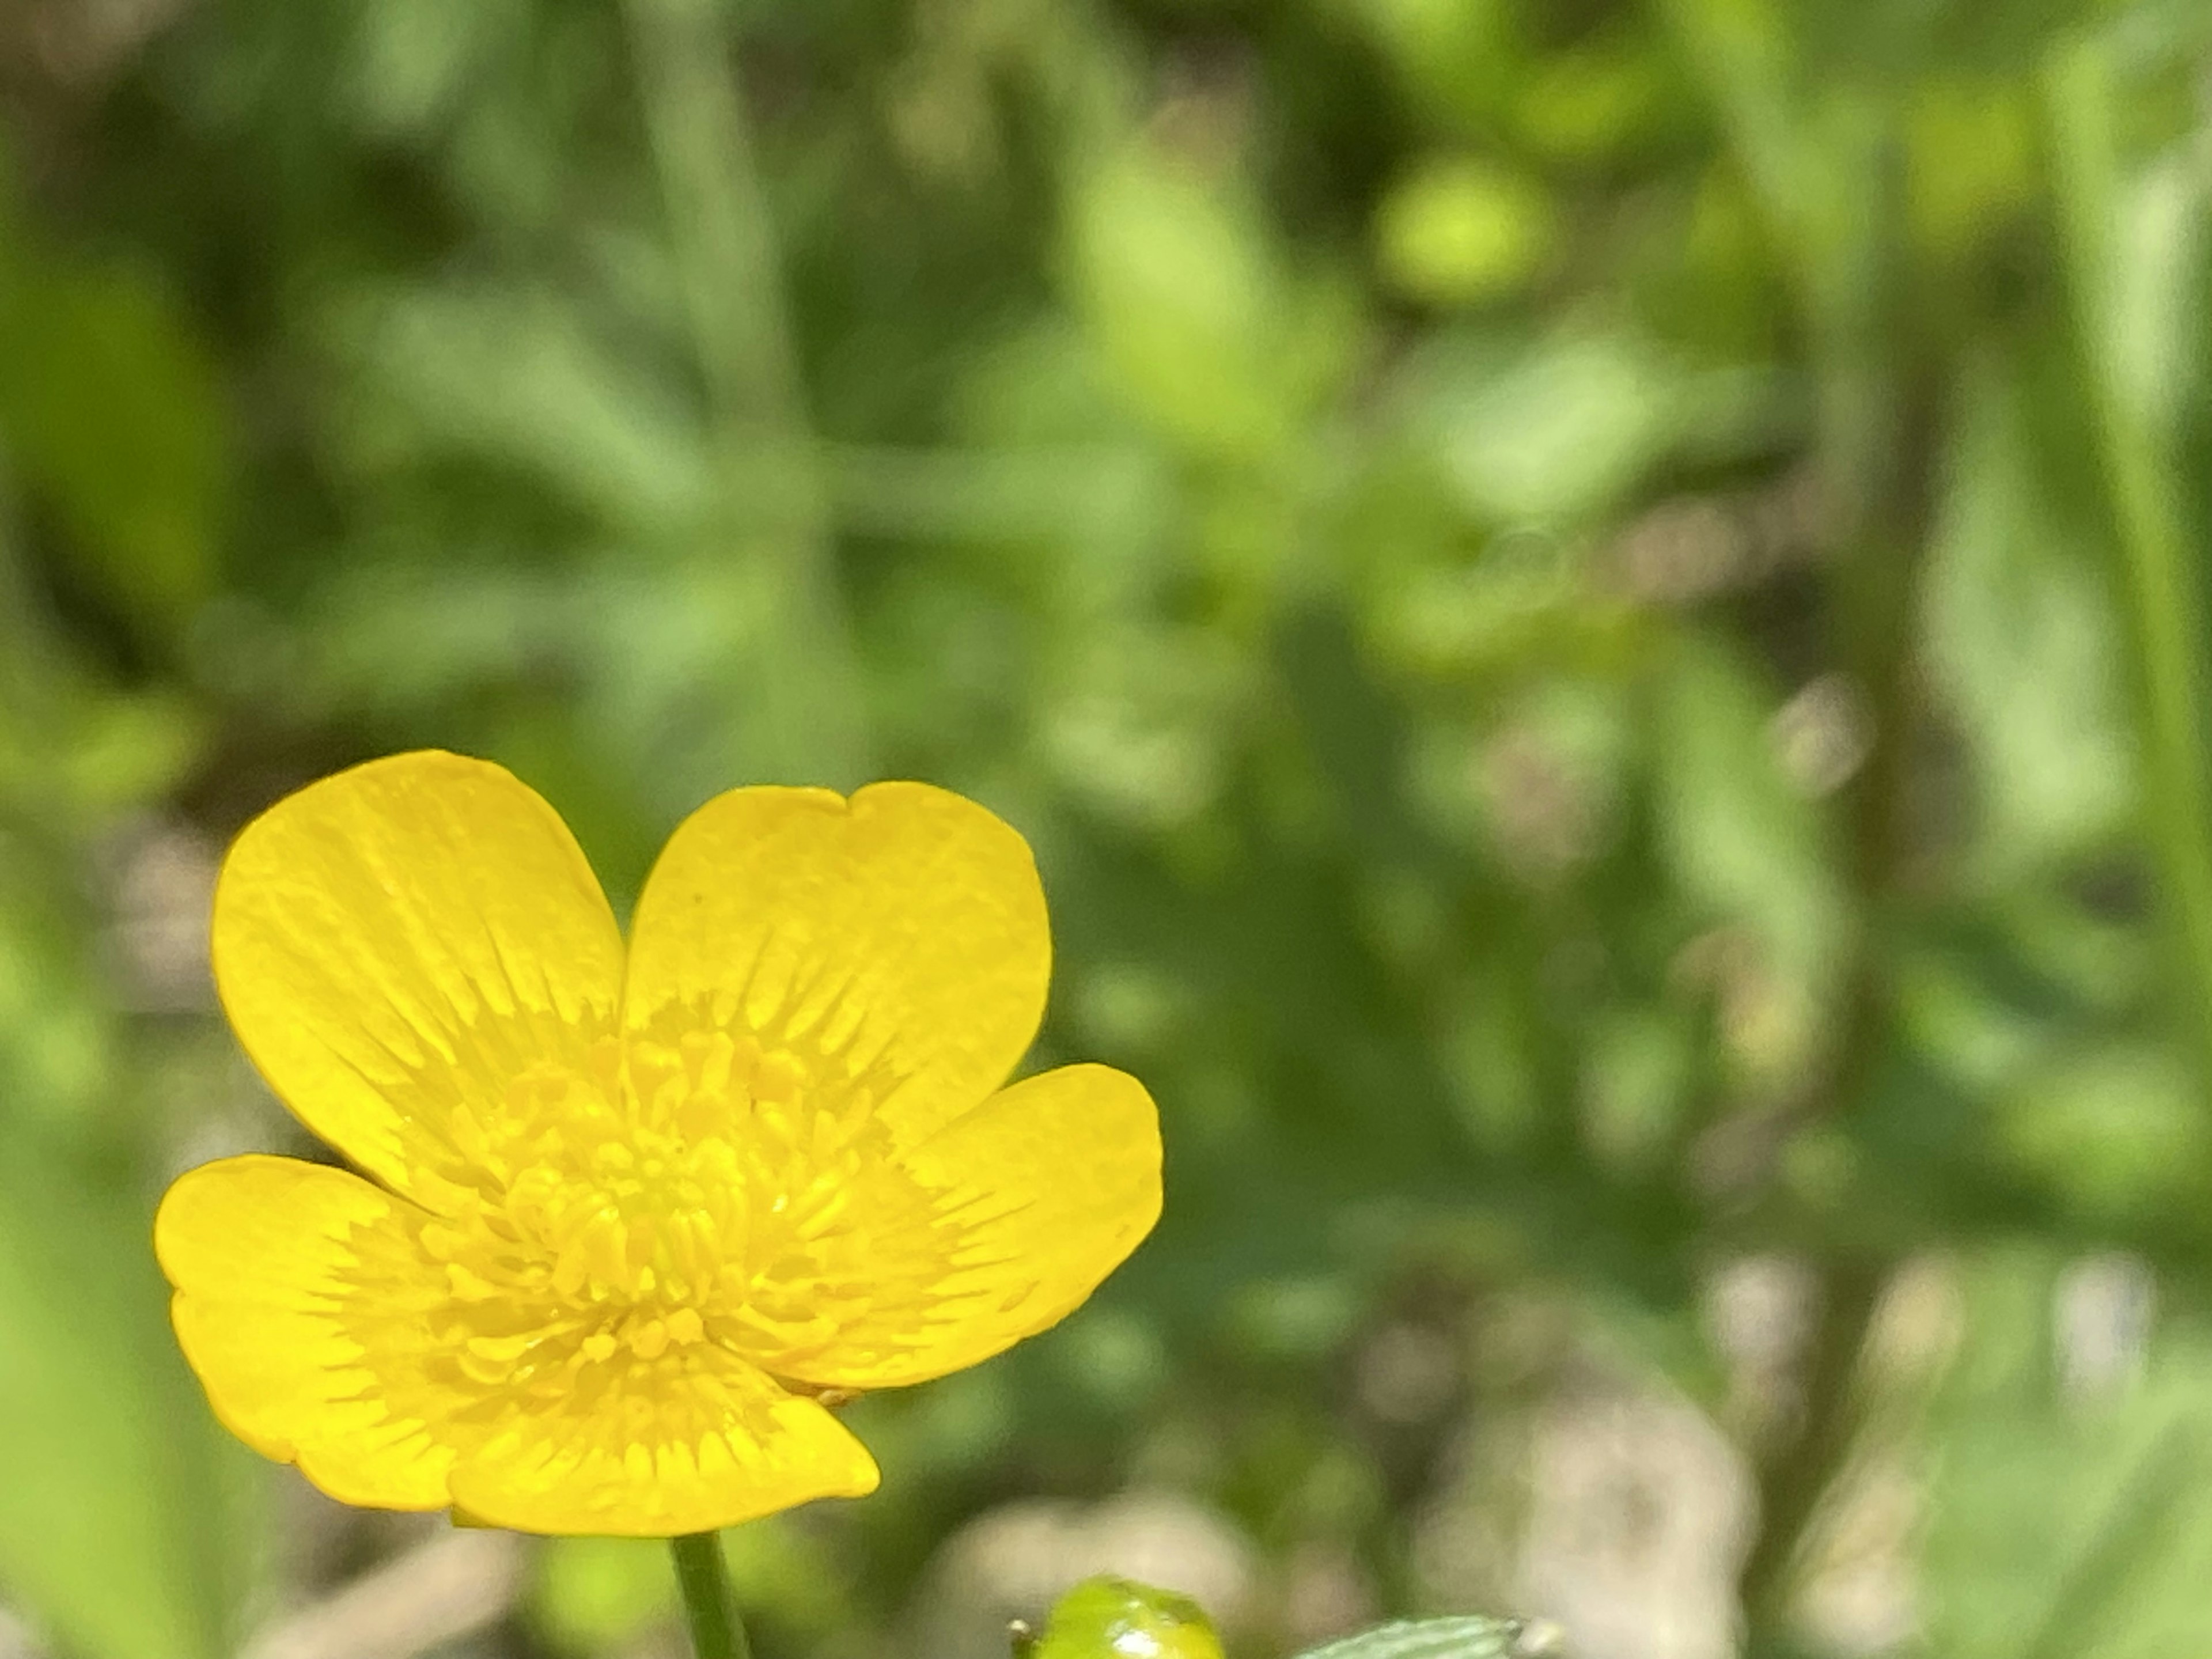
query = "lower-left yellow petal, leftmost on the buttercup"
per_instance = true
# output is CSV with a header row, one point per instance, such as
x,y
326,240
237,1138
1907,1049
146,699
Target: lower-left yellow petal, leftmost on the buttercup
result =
x,y
298,1293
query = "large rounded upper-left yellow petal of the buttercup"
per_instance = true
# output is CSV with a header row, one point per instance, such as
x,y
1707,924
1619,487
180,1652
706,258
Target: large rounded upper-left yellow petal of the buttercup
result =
x,y
397,943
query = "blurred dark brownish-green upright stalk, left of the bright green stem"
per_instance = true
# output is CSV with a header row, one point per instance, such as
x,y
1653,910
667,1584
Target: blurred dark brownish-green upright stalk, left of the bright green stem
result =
x,y
1828,176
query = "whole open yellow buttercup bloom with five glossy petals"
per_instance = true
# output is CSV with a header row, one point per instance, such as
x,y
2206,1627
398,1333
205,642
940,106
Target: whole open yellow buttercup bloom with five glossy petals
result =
x,y
634,1213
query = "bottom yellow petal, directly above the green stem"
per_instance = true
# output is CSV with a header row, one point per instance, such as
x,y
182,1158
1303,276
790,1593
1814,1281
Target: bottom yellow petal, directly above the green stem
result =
x,y
711,1448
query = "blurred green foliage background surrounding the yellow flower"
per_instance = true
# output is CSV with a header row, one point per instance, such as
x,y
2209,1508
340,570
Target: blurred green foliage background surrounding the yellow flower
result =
x,y
1596,612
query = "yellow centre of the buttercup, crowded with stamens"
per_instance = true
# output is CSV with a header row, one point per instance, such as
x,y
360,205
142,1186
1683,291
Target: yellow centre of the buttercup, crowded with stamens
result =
x,y
651,1215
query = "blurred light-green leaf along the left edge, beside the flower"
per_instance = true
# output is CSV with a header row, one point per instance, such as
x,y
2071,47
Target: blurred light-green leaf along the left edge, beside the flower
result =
x,y
118,1527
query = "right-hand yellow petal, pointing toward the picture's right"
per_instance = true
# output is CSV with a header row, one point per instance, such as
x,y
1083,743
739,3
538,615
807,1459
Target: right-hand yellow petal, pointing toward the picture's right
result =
x,y
990,1231
